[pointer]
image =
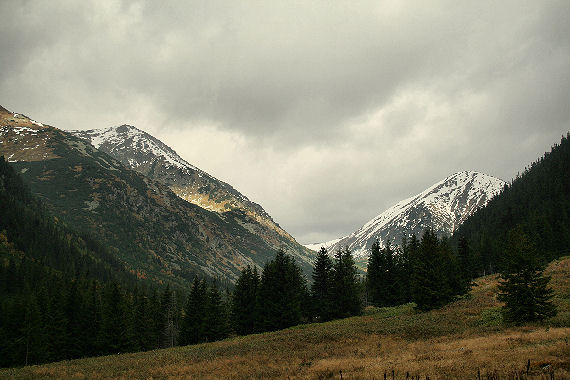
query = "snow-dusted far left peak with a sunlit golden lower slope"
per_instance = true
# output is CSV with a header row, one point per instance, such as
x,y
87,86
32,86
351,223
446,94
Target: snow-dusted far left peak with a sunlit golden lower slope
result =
x,y
149,156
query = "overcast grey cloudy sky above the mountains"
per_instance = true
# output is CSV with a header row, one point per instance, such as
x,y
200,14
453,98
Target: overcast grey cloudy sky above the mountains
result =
x,y
324,112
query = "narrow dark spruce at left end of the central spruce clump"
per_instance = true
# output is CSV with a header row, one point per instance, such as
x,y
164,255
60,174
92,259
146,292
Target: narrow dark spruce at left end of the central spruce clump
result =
x,y
244,299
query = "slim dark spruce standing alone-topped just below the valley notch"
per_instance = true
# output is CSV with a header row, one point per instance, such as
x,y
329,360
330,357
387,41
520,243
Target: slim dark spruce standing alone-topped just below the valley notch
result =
x,y
321,291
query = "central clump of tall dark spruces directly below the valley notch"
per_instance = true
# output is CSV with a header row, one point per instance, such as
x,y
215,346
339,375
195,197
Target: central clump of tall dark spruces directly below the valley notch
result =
x,y
280,297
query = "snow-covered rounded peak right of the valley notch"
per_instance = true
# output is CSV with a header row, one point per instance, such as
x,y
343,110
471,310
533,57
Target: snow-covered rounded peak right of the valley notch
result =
x,y
443,207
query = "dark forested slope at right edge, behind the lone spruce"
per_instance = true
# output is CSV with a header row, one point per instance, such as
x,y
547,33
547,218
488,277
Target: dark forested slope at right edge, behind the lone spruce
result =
x,y
538,200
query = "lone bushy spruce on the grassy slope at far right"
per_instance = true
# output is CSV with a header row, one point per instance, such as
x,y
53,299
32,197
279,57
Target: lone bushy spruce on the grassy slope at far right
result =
x,y
523,286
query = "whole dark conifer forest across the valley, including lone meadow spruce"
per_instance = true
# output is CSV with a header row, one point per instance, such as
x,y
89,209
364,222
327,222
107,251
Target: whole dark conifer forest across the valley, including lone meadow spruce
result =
x,y
63,295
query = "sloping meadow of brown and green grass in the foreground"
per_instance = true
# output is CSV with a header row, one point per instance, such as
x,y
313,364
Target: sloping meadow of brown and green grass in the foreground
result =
x,y
458,341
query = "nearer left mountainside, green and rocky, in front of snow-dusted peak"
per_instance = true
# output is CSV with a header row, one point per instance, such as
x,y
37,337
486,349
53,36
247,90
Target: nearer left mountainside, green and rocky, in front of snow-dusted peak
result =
x,y
152,231
